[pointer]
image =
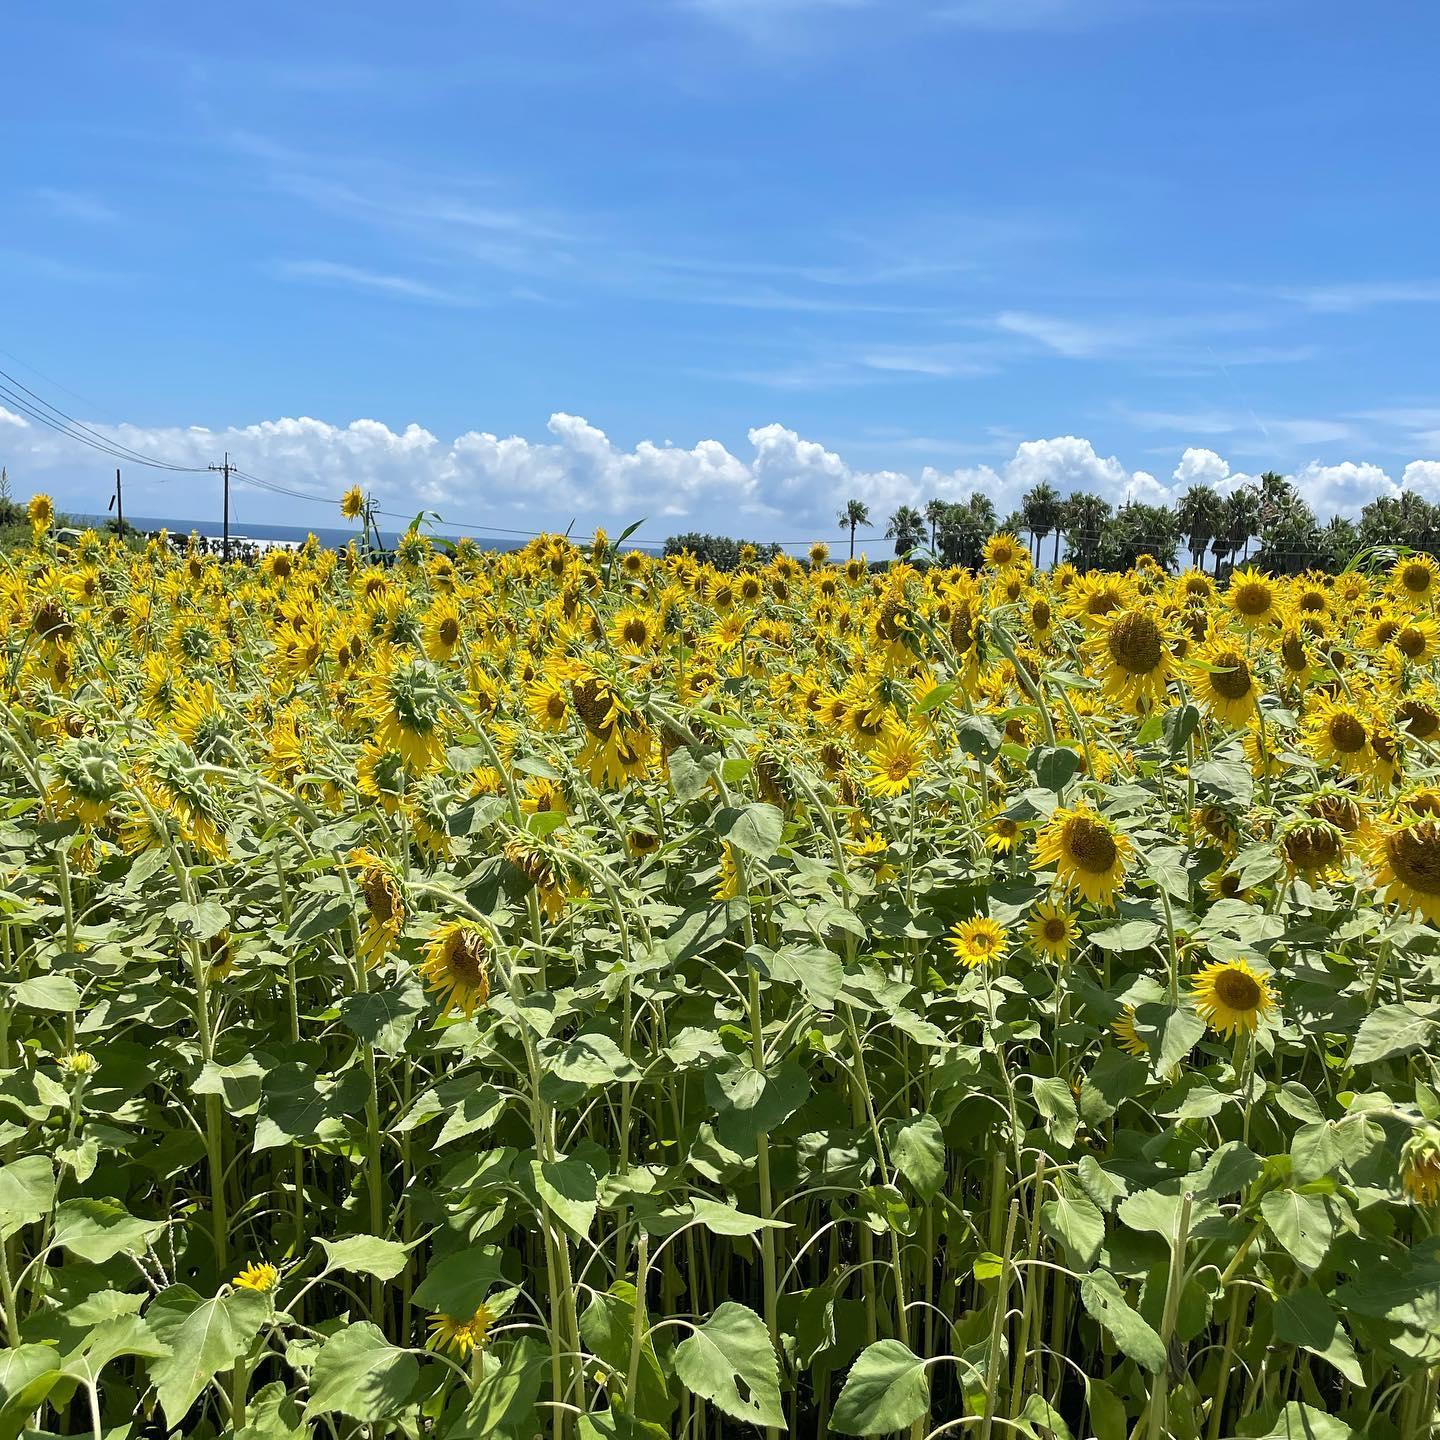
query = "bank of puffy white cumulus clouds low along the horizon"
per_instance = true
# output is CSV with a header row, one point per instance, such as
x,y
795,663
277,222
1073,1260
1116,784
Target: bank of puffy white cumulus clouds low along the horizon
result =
x,y
786,489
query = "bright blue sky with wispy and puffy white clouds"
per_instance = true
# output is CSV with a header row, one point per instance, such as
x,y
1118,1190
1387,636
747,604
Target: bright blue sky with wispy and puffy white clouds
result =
x,y
724,263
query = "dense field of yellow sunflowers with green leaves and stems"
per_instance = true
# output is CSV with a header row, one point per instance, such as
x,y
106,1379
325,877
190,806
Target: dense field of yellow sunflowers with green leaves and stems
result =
x,y
578,994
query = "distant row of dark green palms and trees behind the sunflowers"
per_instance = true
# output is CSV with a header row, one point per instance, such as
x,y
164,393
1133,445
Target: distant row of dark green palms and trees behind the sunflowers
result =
x,y
1266,522
